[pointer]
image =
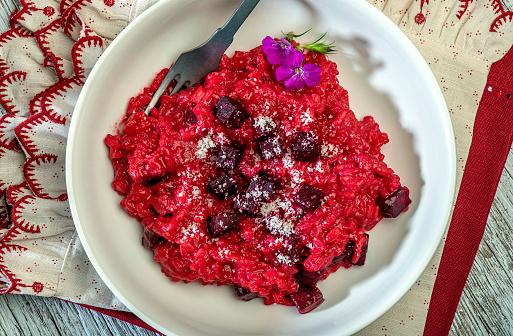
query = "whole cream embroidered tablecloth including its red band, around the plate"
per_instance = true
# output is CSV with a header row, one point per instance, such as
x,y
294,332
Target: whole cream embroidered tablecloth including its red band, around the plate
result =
x,y
53,44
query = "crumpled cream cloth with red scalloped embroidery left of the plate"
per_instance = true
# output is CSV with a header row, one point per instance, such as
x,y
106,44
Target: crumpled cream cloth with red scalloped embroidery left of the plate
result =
x,y
44,61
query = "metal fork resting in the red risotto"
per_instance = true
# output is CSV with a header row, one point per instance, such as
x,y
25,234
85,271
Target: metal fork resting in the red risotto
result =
x,y
195,64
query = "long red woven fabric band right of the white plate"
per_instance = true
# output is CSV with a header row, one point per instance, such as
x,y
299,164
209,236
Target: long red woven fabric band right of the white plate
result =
x,y
493,135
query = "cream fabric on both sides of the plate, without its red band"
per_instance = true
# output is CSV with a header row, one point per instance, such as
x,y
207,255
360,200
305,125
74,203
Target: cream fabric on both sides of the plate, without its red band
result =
x,y
48,53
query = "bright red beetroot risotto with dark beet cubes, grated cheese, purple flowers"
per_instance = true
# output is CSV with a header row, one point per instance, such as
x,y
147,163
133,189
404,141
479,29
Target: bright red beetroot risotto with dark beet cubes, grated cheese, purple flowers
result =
x,y
261,178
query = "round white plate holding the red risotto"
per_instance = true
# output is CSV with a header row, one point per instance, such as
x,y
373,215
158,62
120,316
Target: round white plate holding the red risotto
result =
x,y
386,77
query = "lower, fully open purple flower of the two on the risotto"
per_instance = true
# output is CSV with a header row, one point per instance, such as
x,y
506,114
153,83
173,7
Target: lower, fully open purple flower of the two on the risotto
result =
x,y
295,76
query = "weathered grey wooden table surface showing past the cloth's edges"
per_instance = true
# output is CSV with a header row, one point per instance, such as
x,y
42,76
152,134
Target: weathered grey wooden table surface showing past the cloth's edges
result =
x,y
486,306
